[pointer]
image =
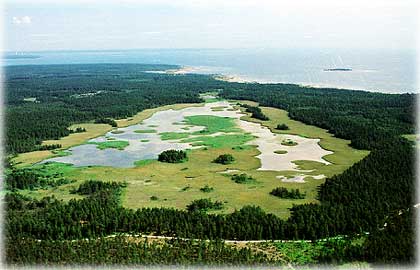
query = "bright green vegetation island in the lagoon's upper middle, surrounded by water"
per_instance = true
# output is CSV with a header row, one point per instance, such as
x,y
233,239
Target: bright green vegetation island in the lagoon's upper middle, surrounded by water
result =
x,y
212,124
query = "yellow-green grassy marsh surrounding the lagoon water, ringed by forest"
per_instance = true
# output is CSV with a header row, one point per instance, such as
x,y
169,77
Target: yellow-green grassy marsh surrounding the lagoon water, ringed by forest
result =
x,y
176,185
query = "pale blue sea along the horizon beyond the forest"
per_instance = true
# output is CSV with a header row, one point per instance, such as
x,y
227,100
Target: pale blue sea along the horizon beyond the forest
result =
x,y
387,71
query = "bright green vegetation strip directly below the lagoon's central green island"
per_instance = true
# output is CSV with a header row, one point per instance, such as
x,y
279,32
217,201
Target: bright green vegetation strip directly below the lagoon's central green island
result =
x,y
221,141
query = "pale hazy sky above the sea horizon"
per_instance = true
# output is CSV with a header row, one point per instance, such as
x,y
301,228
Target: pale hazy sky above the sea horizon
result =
x,y
41,25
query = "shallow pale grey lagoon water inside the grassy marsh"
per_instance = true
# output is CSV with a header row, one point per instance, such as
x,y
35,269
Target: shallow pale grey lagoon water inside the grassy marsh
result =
x,y
148,145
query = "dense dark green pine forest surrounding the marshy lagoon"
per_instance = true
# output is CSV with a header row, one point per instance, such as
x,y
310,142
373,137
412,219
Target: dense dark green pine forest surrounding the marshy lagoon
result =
x,y
374,198
